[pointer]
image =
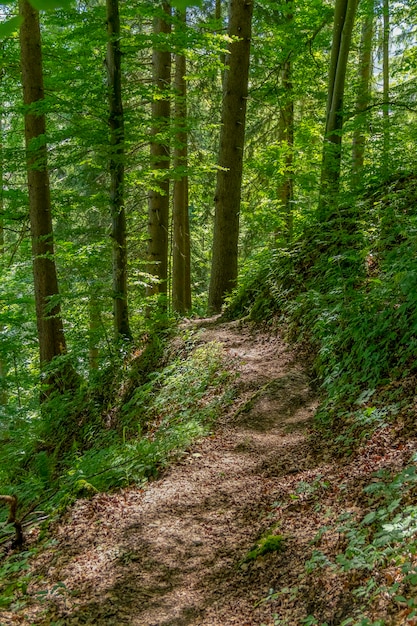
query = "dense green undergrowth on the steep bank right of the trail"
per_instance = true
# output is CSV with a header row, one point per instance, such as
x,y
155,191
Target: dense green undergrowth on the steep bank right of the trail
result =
x,y
347,290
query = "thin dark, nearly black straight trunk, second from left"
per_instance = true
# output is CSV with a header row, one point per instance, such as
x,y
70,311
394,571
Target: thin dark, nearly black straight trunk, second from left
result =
x,y
117,156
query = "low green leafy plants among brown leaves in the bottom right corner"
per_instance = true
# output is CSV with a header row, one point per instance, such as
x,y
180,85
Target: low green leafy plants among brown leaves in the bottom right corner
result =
x,y
384,539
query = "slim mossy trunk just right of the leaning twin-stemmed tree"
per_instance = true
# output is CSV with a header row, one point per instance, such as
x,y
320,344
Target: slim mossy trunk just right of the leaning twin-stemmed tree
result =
x,y
362,100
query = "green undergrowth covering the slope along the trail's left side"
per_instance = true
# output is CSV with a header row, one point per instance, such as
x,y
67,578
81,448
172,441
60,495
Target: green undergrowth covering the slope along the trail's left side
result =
x,y
158,401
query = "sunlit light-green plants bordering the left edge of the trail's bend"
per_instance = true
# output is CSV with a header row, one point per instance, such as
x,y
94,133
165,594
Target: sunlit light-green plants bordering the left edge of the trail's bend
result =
x,y
159,420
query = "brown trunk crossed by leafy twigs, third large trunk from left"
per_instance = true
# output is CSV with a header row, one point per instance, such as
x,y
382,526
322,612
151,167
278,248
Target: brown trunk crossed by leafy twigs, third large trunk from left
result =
x,y
159,149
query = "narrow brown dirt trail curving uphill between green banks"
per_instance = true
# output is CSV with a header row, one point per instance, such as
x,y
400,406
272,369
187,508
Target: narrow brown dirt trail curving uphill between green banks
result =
x,y
171,555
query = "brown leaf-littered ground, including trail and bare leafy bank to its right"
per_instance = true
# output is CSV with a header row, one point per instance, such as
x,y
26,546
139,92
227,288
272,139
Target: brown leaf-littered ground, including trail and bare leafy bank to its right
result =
x,y
177,553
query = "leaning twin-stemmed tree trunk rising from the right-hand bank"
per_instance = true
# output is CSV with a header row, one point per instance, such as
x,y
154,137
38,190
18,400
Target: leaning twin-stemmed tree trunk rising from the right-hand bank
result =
x,y
344,17
